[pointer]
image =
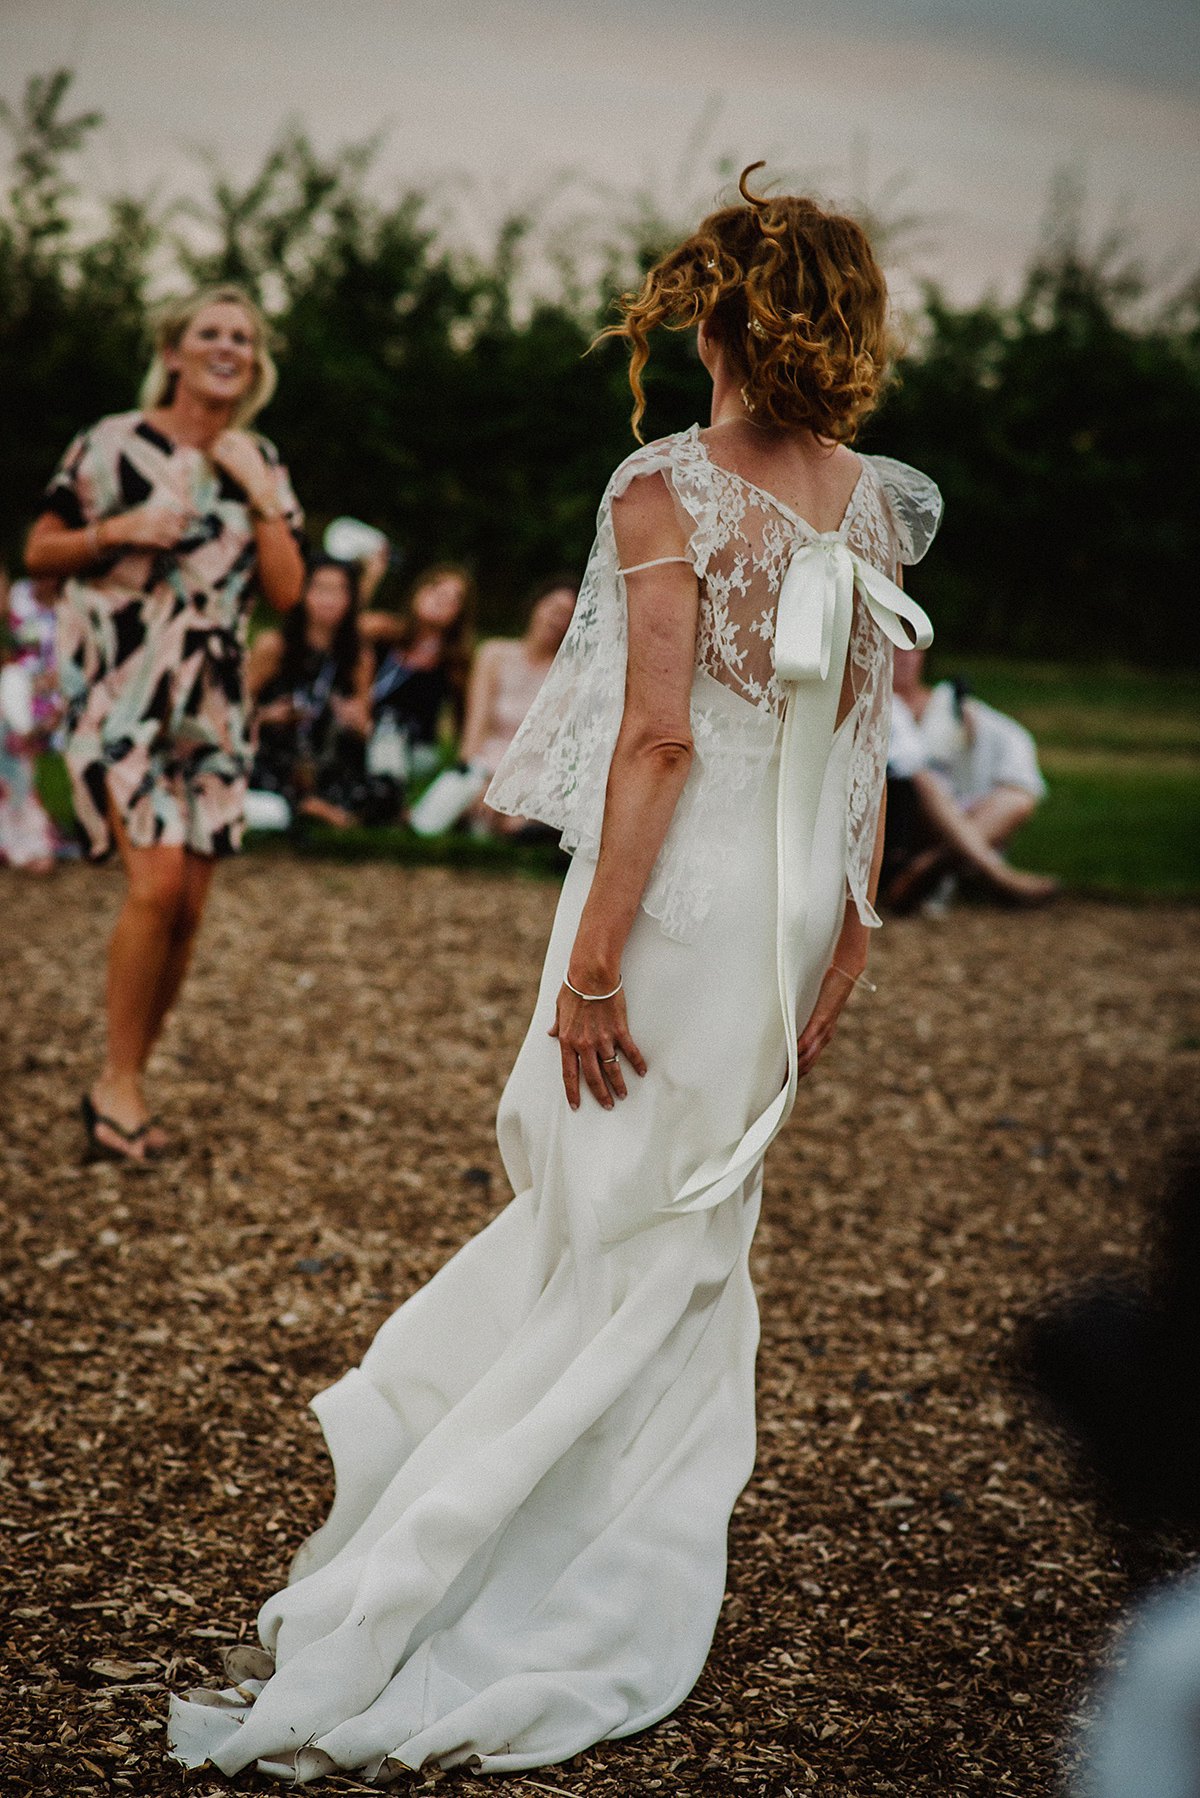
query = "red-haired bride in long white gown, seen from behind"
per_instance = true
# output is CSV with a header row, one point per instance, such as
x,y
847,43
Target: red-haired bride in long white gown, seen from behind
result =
x,y
541,1452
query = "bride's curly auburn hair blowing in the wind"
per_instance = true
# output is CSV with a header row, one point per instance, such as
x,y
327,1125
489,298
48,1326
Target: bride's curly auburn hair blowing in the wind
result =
x,y
796,299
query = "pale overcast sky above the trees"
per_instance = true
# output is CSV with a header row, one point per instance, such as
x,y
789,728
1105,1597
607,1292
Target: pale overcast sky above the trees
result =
x,y
974,102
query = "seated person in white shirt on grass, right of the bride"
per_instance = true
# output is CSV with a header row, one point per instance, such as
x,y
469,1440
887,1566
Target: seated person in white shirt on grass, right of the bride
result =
x,y
962,778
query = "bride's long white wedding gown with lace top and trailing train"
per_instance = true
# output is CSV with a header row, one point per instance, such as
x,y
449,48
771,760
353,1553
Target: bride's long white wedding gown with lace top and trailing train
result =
x,y
541,1452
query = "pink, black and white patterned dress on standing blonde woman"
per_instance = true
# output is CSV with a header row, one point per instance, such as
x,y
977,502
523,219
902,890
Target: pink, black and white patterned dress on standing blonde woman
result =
x,y
152,643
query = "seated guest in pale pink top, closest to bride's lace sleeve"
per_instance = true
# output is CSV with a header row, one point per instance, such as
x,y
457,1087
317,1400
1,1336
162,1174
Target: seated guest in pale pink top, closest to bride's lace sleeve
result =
x,y
505,684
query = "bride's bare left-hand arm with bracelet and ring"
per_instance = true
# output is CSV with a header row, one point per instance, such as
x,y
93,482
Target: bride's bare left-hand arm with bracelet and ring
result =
x,y
645,781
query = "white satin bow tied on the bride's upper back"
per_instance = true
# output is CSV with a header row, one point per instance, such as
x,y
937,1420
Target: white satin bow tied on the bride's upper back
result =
x,y
818,576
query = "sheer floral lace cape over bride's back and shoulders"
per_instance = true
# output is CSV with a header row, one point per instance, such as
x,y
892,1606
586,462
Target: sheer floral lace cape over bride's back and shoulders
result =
x,y
740,546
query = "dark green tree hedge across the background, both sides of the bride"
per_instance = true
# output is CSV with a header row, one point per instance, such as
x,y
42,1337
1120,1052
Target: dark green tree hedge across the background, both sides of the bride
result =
x,y
416,395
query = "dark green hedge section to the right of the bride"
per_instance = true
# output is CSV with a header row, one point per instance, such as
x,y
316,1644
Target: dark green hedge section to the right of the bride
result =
x,y
1062,434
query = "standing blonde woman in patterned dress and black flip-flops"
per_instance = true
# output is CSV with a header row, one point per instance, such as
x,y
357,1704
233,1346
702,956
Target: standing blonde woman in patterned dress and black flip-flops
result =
x,y
161,522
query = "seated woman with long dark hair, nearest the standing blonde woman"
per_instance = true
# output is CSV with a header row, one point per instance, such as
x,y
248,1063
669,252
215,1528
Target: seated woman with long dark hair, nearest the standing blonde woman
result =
x,y
312,688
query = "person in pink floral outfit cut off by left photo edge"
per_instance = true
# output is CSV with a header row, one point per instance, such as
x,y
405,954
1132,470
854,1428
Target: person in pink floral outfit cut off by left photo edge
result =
x,y
31,711
